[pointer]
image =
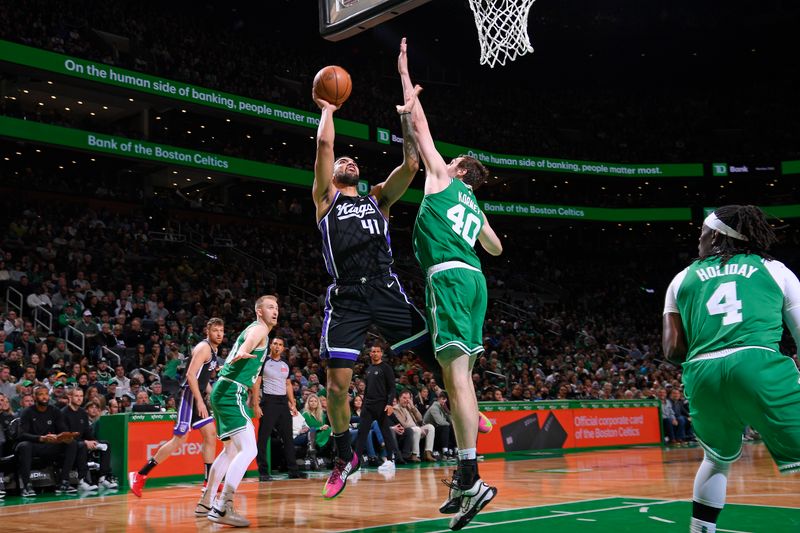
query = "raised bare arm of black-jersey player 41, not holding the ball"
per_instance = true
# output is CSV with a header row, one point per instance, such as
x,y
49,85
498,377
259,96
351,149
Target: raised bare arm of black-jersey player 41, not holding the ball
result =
x,y
398,181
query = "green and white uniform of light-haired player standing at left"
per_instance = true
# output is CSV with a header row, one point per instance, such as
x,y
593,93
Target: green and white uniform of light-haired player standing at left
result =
x,y
229,395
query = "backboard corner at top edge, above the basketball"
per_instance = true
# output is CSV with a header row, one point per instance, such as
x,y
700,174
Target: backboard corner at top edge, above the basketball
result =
x,y
340,19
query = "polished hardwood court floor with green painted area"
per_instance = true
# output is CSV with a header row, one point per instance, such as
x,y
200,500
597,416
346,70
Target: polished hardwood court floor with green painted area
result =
x,y
614,490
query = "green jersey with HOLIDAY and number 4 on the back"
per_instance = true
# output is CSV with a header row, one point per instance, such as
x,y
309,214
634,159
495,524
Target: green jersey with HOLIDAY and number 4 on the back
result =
x,y
728,306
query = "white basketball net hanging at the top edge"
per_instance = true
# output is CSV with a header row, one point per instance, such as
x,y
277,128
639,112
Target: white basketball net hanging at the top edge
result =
x,y
502,29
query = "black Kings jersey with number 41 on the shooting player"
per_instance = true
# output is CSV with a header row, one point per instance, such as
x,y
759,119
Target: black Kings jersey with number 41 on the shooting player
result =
x,y
355,238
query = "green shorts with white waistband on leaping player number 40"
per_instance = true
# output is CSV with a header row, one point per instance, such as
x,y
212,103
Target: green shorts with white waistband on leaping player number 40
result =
x,y
456,300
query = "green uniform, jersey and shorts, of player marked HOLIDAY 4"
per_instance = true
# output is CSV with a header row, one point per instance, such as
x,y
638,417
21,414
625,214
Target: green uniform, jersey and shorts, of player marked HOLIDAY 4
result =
x,y
734,375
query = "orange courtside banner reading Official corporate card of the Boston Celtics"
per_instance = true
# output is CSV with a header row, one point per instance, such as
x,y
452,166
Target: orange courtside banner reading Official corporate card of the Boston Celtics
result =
x,y
523,426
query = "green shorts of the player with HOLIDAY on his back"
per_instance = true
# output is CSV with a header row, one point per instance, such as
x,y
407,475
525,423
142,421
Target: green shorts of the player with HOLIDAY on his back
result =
x,y
755,387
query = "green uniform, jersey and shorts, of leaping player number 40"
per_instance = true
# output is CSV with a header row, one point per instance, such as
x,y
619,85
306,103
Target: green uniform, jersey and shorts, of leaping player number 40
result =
x,y
445,232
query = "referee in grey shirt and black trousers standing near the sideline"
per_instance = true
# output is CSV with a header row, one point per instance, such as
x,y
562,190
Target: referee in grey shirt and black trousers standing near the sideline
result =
x,y
277,404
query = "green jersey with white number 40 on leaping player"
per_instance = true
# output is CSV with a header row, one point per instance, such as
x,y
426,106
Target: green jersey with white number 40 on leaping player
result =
x,y
447,226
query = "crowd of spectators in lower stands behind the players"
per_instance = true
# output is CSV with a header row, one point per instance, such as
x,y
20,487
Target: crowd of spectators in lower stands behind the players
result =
x,y
127,308
